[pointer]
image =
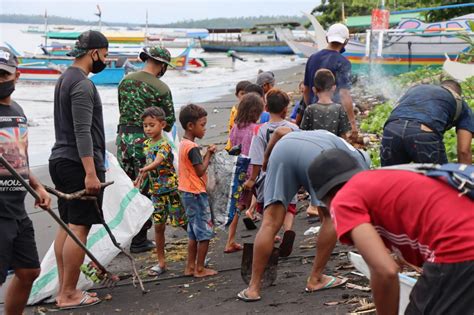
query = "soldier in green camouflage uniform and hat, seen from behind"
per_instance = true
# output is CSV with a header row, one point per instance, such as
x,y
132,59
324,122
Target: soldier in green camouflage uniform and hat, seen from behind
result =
x,y
136,92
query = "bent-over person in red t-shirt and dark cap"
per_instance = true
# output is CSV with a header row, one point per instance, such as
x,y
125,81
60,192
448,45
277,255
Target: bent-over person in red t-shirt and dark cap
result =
x,y
420,219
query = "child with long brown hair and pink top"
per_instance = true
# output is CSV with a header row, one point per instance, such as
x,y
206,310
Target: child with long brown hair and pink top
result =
x,y
249,111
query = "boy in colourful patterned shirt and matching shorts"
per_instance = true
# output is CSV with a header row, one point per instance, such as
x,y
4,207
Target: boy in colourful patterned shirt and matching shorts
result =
x,y
162,182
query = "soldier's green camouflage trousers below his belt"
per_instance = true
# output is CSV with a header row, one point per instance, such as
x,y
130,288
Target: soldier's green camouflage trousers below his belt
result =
x,y
130,153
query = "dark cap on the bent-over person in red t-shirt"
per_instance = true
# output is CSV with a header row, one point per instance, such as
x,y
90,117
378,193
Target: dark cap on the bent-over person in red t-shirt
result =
x,y
331,168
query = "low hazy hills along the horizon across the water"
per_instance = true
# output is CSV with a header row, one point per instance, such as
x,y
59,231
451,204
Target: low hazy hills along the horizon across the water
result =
x,y
240,22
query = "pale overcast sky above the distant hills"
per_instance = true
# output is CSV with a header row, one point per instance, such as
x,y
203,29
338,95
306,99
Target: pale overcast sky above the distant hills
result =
x,y
159,11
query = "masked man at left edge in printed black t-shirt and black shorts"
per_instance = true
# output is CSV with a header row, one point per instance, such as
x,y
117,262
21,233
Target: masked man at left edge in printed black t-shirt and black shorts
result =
x,y
17,238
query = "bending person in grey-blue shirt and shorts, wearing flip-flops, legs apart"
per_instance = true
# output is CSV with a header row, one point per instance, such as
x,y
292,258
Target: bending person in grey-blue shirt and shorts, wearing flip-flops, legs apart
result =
x,y
287,159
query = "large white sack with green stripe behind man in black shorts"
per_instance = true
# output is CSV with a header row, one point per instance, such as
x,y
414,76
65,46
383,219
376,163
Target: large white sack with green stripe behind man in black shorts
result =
x,y
125,211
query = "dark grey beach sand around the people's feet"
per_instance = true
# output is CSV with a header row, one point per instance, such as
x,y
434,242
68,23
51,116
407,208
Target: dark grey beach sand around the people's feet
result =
x,y
173,293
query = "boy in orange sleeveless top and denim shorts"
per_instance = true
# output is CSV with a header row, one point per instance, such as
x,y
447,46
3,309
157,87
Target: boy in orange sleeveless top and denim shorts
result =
x,y
192,185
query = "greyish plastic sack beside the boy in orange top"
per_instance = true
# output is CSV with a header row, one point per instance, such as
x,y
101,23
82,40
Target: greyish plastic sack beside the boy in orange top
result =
x,y
225,176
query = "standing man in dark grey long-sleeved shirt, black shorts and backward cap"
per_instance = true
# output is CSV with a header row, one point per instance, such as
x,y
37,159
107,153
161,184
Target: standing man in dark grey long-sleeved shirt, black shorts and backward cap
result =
x,y
77,161
